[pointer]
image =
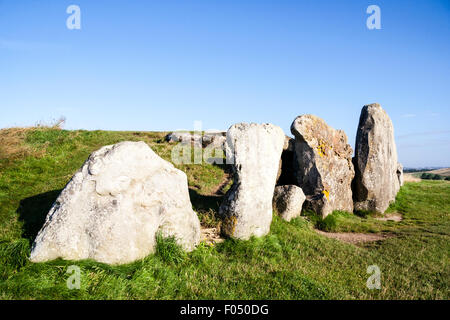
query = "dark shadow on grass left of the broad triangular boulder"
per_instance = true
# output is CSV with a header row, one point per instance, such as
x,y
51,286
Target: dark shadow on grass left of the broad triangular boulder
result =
x,y
32,211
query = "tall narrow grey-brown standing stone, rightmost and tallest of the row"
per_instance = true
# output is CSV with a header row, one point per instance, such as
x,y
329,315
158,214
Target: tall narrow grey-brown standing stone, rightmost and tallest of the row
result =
x,y
376,181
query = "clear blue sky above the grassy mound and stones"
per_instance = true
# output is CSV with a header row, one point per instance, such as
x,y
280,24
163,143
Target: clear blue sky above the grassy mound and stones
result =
x,y
161,65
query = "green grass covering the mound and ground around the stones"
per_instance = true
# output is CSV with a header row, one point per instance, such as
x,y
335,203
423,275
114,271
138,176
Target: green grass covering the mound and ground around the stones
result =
x,y
292,262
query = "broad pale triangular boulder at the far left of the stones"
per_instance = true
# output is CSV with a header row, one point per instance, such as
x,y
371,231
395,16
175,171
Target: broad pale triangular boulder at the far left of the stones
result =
x,y
112,208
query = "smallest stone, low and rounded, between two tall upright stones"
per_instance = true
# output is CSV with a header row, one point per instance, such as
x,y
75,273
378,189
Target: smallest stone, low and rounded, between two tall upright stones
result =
x,y
288,201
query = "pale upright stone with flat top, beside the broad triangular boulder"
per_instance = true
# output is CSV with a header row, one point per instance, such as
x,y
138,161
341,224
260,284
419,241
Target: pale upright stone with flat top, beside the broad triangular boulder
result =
x,y
255,151
